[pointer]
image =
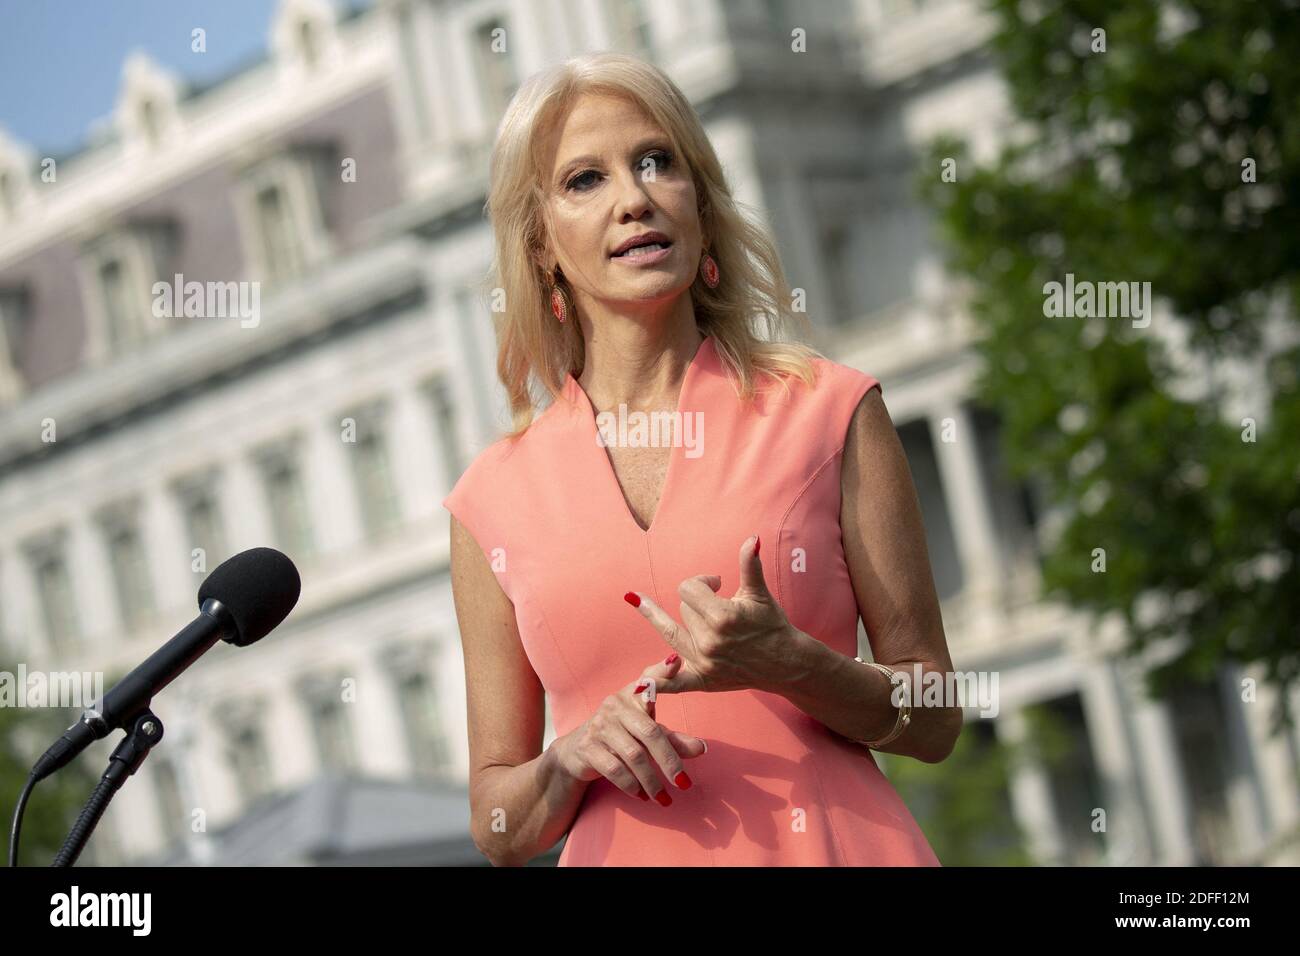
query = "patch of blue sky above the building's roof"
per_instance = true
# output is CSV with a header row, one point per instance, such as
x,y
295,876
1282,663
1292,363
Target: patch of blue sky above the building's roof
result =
x,y
62,60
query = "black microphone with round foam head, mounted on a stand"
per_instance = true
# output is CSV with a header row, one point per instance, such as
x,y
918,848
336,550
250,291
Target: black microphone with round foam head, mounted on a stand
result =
x,y
242,602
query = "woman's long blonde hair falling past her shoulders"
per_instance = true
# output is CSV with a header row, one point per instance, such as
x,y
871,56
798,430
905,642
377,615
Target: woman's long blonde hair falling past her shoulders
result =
x,y
753,288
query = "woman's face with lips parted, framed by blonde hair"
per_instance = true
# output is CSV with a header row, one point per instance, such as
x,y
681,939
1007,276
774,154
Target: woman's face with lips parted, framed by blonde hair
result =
x,y
614,175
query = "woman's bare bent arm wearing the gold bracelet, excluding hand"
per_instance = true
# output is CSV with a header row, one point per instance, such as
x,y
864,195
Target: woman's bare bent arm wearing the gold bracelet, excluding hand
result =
x,y
885,546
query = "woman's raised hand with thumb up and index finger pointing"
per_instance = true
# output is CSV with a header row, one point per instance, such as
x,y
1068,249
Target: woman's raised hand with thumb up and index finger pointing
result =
x,y
729,644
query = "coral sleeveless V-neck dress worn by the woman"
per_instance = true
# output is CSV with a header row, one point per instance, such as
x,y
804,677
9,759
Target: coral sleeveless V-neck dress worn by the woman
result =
x,y
777,788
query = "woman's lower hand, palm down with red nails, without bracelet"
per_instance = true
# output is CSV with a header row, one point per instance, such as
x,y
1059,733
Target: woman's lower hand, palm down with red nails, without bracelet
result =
x,y
623,743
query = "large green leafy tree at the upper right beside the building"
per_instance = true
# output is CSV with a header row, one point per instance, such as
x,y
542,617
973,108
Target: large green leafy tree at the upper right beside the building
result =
x,y
1155,142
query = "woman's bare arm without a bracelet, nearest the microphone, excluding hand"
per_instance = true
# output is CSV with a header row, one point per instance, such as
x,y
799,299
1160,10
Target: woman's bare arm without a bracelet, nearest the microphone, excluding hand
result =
x,y
521,801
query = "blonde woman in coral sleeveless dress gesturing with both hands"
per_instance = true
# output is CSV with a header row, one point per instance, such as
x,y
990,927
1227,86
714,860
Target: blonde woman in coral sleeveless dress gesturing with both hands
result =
x,y
575,535
